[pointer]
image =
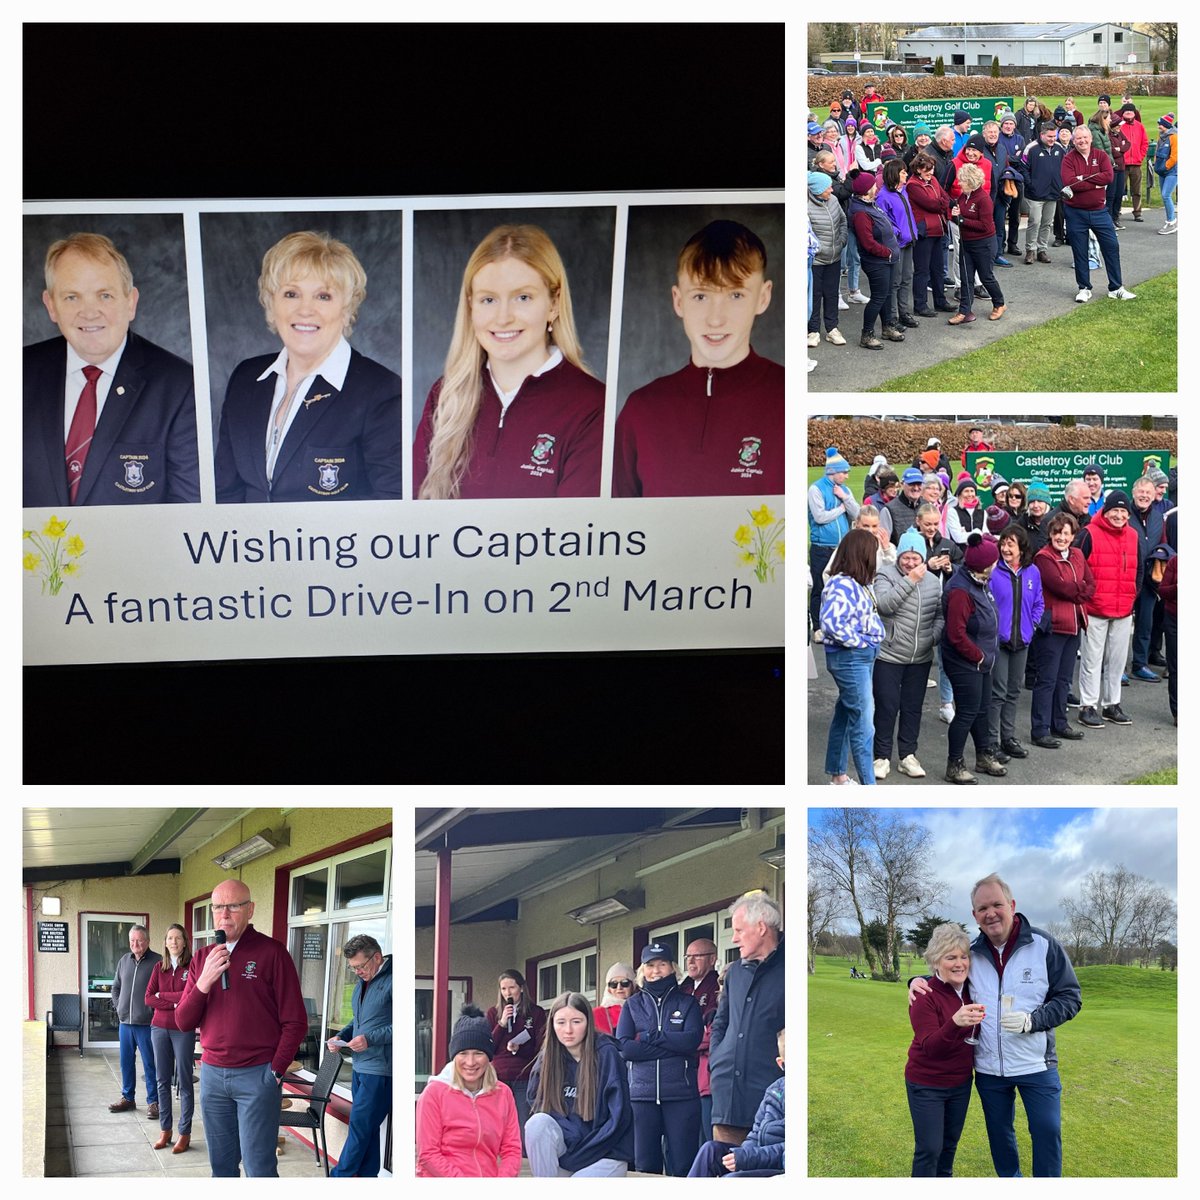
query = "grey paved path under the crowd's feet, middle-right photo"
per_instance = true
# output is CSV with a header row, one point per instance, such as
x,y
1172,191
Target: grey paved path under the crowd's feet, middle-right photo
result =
x,y
1113,755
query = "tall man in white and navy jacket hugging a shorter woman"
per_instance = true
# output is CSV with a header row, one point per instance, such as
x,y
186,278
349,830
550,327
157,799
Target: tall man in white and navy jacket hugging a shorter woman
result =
x,y
1027,982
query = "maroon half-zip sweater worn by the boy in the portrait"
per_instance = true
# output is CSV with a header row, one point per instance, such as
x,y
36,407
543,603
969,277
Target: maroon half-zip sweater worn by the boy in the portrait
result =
x,y
704,433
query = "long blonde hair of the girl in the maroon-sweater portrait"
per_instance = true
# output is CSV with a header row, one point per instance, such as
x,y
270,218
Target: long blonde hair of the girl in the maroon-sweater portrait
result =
x,y
461,386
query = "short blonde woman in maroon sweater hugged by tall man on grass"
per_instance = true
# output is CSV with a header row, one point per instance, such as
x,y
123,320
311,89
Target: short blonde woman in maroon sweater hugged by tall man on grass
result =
x,y
938,1076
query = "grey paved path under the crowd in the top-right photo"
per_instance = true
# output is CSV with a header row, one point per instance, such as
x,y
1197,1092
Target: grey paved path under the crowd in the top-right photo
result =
x,y
1033,295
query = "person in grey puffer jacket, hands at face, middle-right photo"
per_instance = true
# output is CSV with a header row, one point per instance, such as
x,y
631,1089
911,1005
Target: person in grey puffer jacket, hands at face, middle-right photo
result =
x,y
910,603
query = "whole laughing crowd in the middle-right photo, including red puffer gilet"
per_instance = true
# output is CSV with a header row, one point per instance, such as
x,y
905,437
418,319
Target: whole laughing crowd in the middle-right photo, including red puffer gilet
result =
x,y
998,590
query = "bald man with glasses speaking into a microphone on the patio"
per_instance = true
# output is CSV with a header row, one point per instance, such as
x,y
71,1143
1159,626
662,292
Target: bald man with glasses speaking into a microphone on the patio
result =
x,y
245,999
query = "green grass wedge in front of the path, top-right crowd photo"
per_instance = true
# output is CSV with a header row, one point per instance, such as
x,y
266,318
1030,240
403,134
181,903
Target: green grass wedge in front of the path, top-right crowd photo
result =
x,y
1037,357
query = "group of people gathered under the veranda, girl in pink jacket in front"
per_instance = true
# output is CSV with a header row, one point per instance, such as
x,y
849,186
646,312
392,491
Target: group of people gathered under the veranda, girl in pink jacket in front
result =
x,y
668,1075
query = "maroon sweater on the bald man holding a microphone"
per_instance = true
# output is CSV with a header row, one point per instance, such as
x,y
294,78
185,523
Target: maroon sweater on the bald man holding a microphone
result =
x,y
261,1018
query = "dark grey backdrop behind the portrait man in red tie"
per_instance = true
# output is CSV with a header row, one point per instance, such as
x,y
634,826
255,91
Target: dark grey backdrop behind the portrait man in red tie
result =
x,y
154,247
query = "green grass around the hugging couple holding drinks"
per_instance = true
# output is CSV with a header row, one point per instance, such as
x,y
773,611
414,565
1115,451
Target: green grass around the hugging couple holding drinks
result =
x,y
1118,1061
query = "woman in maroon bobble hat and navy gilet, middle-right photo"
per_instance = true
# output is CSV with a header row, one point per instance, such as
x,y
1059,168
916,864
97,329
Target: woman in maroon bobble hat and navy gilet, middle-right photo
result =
x,y
969,653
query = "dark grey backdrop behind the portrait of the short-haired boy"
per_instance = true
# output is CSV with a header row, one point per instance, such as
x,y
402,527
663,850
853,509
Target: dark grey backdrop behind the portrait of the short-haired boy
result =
x,y
652,339
